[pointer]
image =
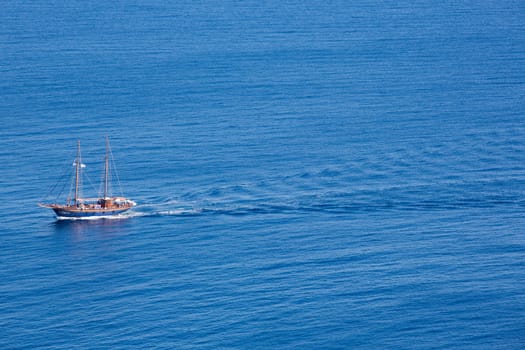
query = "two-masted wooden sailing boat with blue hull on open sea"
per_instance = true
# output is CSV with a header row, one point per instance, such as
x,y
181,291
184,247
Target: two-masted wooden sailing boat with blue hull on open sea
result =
x,y
78,207
